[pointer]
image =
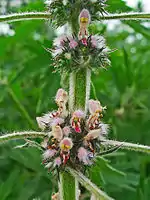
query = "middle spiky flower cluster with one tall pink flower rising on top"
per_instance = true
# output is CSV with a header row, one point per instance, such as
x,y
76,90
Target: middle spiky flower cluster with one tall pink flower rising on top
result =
x,y
73,53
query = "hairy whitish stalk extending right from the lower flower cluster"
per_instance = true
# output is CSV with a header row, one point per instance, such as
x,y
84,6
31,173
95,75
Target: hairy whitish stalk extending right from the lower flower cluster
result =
x,y
128,146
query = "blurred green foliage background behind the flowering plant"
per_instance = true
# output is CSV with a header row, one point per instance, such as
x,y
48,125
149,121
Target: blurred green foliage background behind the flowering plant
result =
x,y
28,87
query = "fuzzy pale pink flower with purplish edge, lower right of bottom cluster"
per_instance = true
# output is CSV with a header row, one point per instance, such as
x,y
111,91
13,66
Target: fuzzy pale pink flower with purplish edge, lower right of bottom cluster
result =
x,y
84,156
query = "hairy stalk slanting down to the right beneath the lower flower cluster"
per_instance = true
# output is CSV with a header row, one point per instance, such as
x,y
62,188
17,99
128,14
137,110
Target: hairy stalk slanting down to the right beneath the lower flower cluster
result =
x,y
89,185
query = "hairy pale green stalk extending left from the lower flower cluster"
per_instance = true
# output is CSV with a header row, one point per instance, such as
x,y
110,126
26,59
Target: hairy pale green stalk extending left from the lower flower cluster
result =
x,y
21,135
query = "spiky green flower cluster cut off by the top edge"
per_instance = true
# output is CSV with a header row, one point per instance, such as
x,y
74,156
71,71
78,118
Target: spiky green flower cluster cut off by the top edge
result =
x,y
61,11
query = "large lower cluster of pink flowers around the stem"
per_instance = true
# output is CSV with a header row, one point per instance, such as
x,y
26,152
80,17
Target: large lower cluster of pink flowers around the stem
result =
x,y
72,138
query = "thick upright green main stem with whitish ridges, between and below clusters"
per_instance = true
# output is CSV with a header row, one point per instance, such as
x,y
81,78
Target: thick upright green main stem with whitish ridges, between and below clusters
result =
x,y
79,92
